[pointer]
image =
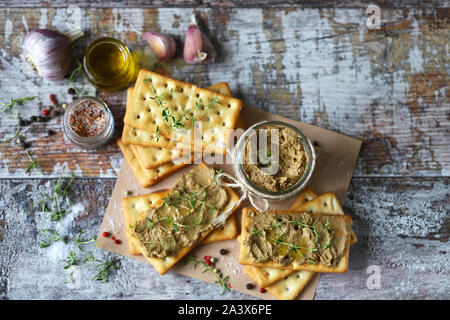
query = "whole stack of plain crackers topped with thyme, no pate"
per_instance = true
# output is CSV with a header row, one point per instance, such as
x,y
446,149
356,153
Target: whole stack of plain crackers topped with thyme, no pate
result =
x,y
159,124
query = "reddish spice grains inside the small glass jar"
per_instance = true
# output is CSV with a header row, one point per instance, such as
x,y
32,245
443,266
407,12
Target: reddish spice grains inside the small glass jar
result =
x,y
87,119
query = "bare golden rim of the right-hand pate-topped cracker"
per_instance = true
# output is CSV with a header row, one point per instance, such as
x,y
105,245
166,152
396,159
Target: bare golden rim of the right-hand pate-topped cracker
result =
x,y
344,222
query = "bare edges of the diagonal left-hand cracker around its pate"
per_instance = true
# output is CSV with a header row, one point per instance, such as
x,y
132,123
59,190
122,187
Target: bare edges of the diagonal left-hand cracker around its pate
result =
x,y
162,265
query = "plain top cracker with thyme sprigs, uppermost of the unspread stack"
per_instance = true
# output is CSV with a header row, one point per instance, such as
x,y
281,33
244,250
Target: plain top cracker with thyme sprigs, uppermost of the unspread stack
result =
x,y
154,92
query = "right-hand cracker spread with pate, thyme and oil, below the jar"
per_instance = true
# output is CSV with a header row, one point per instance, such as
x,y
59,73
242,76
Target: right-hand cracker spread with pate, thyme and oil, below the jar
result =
x,y
295,240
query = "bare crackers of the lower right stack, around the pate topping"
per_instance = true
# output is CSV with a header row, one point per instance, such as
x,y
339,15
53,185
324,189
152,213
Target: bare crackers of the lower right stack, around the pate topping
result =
x,y
287,283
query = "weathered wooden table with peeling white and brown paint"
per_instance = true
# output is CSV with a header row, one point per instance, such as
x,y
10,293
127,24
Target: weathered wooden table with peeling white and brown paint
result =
x,y
316,62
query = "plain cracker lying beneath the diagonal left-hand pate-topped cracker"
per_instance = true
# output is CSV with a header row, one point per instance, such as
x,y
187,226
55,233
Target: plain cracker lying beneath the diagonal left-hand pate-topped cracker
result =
x,y
134,209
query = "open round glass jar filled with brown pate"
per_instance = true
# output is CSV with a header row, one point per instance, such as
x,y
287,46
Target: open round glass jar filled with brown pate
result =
x,y
274,160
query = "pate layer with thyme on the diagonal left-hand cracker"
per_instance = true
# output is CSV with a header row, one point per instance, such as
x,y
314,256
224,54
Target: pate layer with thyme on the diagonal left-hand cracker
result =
x,y
185,215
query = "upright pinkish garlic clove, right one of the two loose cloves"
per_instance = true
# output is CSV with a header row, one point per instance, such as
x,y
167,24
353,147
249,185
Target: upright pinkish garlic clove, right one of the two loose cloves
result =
x,y
197,47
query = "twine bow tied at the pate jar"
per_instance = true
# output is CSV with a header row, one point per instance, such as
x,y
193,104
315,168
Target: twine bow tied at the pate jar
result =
x,y
245,194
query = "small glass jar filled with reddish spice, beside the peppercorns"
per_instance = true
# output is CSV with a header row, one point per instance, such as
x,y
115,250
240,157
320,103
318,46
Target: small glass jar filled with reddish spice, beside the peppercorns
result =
x,y
88,123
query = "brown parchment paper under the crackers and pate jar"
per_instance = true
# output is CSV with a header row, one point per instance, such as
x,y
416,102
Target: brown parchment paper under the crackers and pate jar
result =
x,y
336,159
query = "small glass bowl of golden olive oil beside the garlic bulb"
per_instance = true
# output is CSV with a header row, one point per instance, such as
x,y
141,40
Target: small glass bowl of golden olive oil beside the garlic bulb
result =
x,y
108,64
